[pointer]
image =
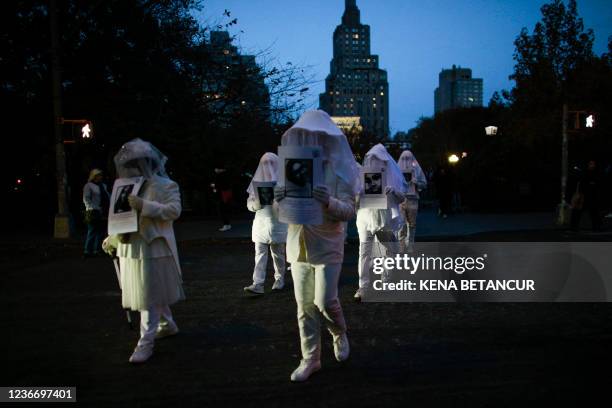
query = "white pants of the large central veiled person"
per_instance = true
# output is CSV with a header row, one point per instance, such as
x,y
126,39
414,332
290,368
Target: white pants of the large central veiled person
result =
x,y
316,295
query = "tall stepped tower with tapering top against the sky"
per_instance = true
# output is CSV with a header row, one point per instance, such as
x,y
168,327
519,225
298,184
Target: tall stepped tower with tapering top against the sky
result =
x,y
356,87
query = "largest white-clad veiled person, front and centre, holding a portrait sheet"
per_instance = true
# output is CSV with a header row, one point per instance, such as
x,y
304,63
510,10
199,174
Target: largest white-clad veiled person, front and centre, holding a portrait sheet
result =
x,y
316,252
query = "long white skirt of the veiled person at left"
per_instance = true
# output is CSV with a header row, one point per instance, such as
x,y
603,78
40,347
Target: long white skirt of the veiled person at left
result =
x,y
150,282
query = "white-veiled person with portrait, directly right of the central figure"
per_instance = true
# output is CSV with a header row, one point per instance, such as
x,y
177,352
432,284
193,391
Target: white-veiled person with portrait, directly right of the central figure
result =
x,y
380,224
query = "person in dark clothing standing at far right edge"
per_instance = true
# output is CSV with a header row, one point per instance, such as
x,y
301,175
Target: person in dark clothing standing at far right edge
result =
x,y
588,189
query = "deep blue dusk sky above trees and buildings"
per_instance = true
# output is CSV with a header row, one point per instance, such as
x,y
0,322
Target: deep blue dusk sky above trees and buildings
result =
x,y
414,40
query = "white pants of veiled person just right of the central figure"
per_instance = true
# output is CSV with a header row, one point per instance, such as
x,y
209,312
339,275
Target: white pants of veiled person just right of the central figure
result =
x,y
387,246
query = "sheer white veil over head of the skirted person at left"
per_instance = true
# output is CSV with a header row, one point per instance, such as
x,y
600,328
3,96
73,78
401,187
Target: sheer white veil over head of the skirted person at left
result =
x,y
140,158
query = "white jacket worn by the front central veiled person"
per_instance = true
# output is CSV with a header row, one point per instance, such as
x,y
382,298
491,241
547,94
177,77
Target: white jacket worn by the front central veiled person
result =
x,y
324,244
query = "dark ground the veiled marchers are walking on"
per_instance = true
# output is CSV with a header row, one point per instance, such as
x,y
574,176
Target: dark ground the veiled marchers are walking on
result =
x,y
63,325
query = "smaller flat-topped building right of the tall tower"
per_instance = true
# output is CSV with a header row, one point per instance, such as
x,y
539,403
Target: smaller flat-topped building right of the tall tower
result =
x,y
457,89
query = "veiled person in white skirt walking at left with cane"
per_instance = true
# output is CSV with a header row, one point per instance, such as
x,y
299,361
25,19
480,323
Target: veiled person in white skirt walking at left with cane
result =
x,y
150,270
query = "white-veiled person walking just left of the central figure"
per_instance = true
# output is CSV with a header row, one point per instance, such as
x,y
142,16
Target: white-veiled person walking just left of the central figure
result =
x,y
268,233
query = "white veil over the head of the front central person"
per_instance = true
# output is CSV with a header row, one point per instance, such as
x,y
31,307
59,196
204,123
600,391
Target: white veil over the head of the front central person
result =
x,y
315,128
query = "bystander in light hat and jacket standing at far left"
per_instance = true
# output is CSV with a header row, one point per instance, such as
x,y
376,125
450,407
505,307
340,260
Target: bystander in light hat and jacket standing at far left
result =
x,y
95,199
